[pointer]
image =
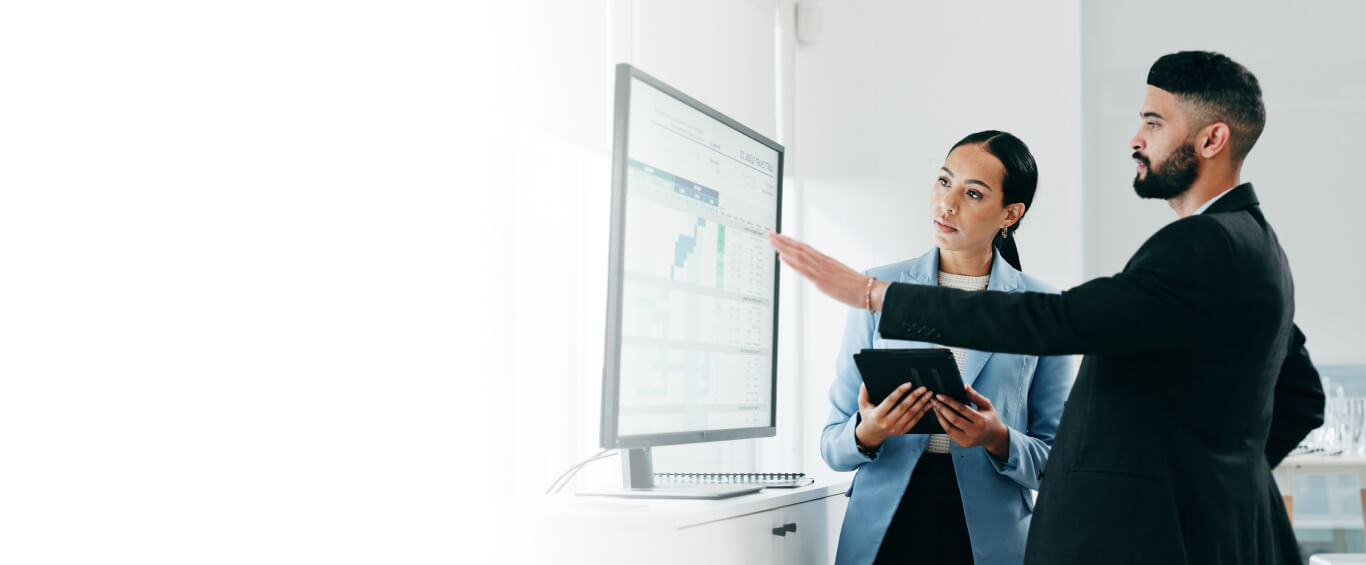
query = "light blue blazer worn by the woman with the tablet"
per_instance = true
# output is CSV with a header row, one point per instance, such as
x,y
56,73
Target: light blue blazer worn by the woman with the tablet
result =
x,y
1027,391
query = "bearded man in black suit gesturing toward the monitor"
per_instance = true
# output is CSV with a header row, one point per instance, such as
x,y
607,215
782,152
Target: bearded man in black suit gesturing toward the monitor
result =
x,y
1196,381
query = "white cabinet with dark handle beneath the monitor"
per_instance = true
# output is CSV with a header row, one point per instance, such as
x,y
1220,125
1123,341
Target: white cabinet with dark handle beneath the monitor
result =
x,y
777,526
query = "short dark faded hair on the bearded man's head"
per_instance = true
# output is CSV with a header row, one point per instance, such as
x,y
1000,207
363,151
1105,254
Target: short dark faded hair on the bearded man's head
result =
x,y
1215,88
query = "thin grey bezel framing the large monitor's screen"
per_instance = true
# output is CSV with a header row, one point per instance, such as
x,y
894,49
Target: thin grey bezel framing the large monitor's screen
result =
x,y
611,369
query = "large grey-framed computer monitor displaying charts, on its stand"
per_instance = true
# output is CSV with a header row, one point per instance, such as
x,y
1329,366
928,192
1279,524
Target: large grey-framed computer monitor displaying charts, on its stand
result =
x,y
692,327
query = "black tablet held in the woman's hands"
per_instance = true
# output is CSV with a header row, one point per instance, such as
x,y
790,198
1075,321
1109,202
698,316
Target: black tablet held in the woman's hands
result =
x,y
884,371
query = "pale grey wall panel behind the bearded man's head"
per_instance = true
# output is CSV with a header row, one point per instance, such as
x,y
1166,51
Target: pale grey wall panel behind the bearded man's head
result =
x,y
1311,59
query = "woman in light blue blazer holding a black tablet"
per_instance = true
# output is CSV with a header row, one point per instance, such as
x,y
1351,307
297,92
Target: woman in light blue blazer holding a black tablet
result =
x,y
961,497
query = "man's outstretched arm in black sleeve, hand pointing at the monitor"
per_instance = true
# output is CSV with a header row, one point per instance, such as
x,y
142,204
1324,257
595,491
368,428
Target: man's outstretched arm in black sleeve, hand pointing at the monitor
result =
x,y
1173,293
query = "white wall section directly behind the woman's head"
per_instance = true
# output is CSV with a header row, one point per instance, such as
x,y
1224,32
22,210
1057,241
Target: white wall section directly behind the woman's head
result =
x,y
882,93
